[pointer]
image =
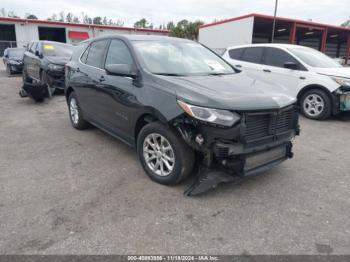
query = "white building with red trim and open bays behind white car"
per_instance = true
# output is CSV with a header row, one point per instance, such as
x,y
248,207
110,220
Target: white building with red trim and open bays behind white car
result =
x,y
257,28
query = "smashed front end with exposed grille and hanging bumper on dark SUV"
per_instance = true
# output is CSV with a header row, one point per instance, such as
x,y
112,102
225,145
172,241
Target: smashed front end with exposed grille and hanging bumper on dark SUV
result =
x,y
259,142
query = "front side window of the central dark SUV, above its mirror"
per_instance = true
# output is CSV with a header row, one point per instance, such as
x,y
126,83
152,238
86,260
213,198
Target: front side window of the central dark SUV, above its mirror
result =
x,y
118,53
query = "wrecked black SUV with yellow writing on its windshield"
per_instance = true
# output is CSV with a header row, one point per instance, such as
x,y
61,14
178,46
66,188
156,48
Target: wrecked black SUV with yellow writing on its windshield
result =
x,y
43,70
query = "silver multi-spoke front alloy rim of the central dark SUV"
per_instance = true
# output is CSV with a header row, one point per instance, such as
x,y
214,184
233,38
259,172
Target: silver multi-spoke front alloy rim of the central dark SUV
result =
x,y
158,154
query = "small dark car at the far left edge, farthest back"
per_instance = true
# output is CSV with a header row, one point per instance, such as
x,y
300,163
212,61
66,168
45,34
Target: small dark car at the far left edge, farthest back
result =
x,y
13,60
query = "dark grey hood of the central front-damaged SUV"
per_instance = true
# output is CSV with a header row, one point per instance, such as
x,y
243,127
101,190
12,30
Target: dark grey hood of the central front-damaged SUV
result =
x,y
232,92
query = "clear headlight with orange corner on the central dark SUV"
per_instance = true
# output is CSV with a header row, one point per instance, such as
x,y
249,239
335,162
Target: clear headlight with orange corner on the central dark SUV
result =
x,y
210,115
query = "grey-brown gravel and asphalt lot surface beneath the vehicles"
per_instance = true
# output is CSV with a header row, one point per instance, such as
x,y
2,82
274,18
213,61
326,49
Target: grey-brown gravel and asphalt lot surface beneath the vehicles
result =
x,y
64,191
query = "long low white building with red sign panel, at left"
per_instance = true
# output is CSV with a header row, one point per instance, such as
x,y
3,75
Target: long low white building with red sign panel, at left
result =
x,y
18,32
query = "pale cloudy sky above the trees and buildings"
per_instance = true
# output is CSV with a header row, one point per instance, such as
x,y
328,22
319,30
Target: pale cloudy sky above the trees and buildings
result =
x,y
159,12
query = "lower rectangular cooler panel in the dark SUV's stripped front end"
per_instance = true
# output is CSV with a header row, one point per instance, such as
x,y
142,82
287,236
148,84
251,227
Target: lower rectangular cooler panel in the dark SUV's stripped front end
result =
x,y
257,160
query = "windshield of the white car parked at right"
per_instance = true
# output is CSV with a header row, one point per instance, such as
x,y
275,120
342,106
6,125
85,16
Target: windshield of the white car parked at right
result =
x,y
314,58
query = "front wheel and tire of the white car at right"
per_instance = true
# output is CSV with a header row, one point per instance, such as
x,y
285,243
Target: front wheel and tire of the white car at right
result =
x,y
316,104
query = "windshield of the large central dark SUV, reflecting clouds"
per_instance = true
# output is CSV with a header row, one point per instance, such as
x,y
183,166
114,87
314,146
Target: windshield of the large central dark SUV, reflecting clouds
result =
x,y
180,58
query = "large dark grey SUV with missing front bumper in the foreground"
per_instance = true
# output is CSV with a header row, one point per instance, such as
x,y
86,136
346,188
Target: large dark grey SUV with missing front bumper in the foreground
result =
x,y
182,106
